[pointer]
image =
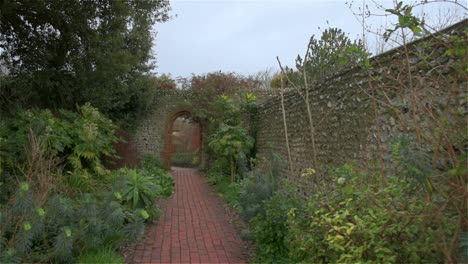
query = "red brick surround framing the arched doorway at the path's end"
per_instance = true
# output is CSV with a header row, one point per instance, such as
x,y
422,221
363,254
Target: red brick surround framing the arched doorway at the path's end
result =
x,y
166,156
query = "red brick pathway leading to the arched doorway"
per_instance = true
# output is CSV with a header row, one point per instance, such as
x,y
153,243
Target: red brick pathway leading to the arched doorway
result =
x,y
194,227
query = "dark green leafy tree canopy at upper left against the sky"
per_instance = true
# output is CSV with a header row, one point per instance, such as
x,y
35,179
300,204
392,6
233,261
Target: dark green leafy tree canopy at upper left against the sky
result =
x,y
64,53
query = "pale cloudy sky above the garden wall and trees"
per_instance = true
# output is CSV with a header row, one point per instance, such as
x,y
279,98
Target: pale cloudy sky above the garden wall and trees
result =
x,y
245,36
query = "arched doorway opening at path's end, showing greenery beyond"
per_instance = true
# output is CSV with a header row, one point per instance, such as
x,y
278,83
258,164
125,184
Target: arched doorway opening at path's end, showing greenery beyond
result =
x,y
184,145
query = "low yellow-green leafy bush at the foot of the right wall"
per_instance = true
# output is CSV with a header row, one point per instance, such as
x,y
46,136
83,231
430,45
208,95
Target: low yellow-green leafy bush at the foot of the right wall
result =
x,y
354,218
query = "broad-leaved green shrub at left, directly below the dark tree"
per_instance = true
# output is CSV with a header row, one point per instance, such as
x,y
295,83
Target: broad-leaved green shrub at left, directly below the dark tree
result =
x,y
80,140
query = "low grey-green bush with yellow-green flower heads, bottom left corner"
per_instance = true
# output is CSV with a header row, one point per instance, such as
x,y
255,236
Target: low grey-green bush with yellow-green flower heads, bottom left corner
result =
x,y
63,227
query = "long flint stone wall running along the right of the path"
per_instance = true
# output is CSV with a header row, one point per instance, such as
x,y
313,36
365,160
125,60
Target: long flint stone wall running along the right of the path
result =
x,y
358,113
